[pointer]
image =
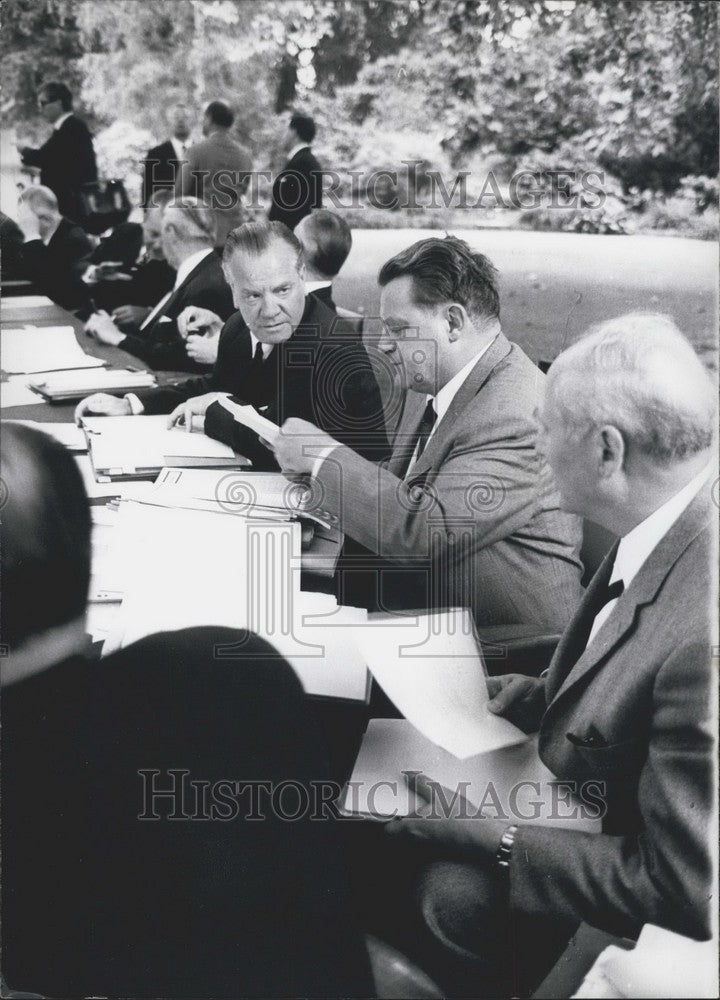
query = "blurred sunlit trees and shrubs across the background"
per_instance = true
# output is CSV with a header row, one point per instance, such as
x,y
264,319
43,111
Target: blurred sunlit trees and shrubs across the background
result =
x,y
625,88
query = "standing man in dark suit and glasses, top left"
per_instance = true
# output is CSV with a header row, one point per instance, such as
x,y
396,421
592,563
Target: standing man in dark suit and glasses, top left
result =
x,y
67,159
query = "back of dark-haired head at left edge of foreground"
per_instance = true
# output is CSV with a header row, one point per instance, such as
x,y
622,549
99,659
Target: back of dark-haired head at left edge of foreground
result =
x,y
45,536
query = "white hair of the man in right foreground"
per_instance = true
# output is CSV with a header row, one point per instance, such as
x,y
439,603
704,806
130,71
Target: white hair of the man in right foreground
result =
x,y
640,374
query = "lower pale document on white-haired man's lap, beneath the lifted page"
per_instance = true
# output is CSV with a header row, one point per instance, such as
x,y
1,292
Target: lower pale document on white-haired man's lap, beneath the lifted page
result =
x,y
509,783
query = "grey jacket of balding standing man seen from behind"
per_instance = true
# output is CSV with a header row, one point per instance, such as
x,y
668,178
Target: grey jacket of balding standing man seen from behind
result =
x,y
218,171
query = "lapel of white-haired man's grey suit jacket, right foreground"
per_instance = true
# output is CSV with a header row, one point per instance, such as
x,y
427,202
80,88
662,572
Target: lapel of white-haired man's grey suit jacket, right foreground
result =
x,y
563,676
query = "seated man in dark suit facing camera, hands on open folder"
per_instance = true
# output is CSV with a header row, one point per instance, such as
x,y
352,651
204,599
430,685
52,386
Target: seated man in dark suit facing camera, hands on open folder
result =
x,y
279,353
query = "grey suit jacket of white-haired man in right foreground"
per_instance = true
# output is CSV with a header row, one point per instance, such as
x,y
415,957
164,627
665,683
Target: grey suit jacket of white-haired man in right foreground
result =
x,y
645,686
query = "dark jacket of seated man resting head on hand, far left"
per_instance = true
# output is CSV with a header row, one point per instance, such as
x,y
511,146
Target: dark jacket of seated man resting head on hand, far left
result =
x,y
56,268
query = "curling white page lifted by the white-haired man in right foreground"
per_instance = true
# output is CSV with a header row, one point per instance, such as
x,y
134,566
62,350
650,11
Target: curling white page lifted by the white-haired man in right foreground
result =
x,y
431,668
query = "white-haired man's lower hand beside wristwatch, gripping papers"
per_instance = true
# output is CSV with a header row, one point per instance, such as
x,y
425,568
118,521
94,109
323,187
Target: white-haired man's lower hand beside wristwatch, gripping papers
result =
x,y
446,818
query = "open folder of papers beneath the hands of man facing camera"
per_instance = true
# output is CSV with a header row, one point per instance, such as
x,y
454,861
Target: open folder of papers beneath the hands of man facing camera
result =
x,y
139,447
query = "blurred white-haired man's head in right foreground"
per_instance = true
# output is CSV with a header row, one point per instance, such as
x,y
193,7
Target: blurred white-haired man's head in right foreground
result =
x,y
628,419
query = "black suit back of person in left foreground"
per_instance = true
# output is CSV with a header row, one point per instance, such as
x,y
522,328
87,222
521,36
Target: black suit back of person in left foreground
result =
x,y
101,902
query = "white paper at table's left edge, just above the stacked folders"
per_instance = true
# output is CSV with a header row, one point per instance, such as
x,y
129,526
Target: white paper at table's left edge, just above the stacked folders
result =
x,y
43,349
